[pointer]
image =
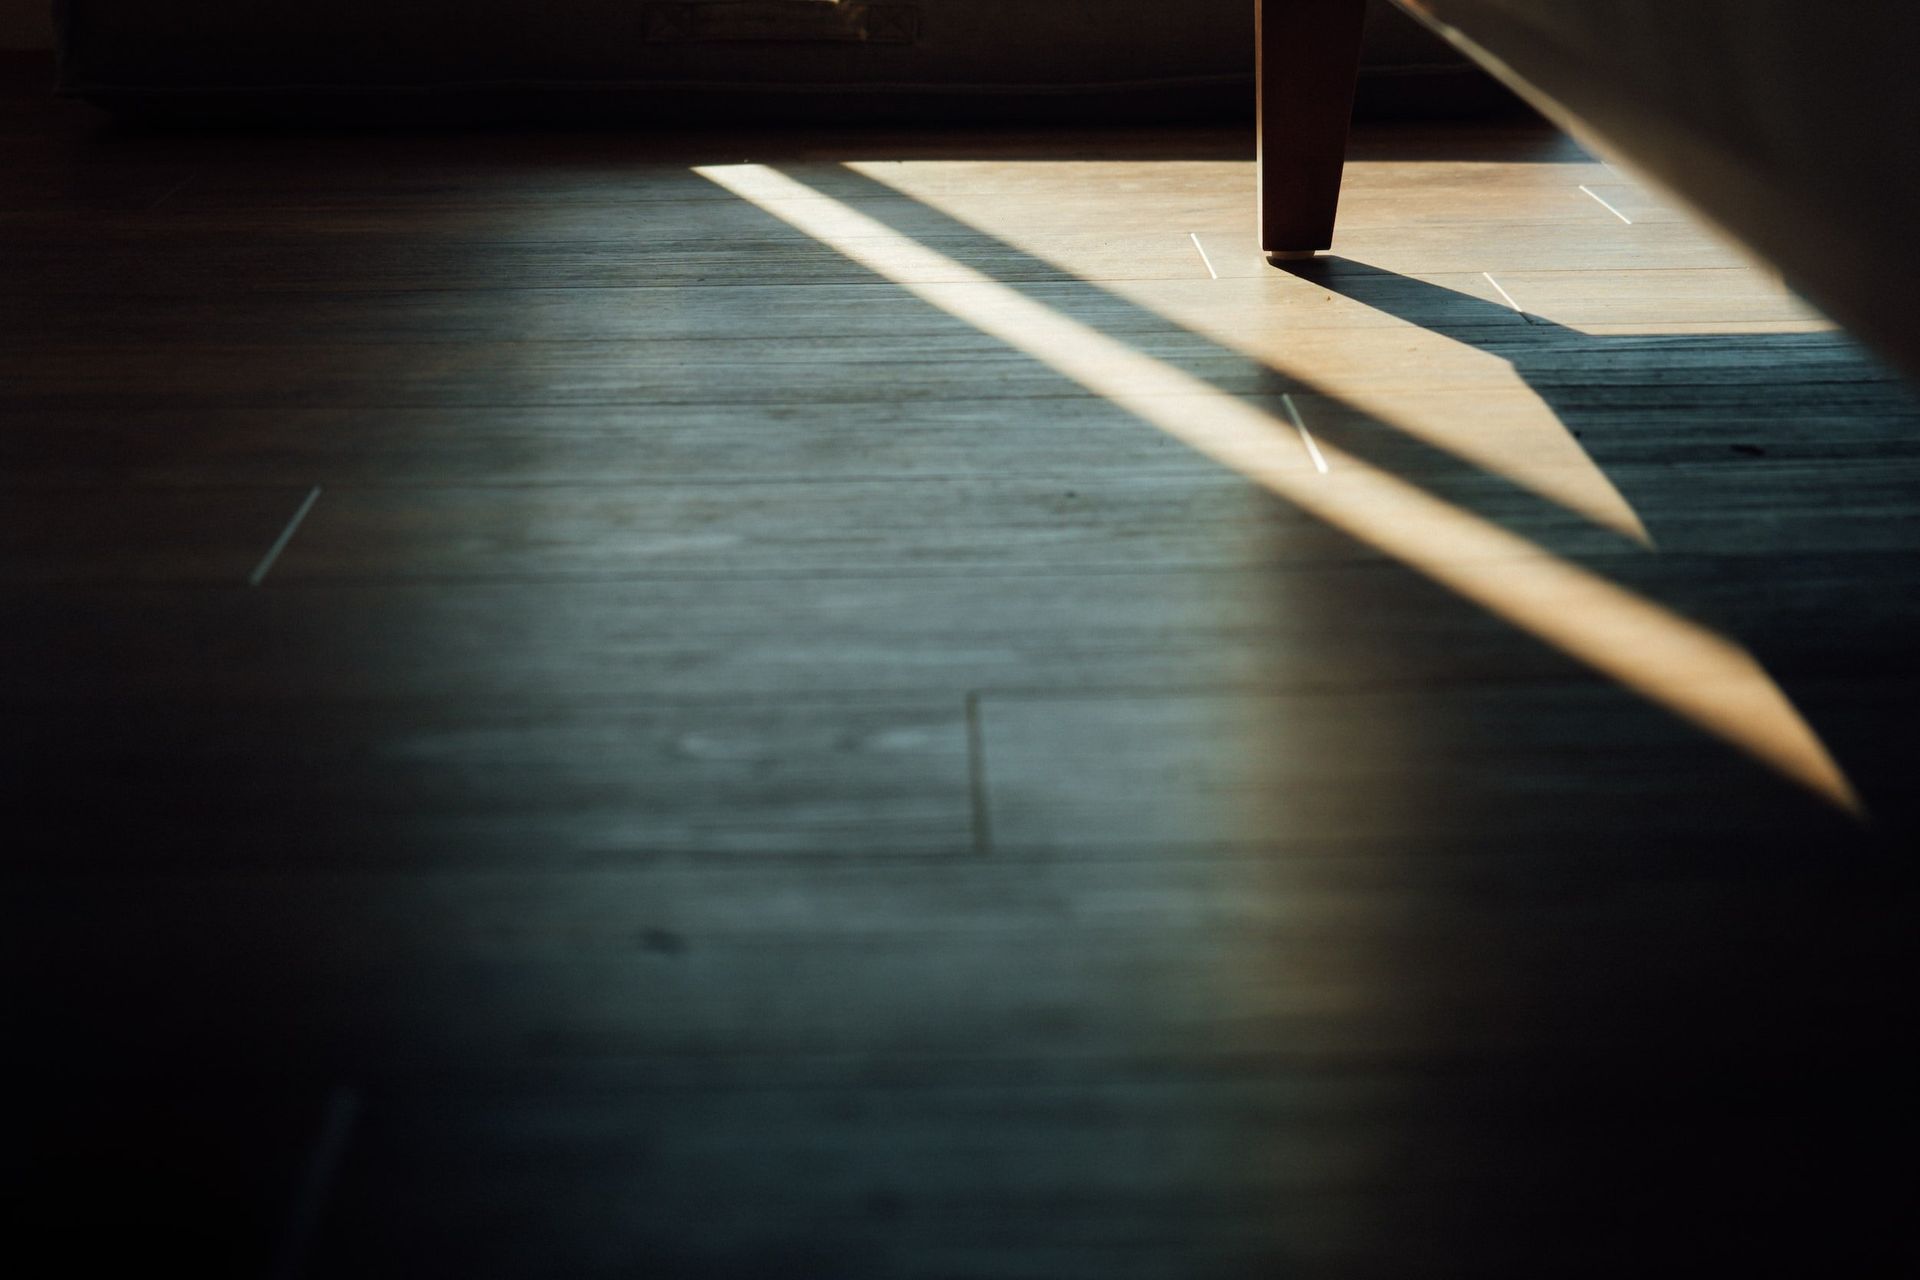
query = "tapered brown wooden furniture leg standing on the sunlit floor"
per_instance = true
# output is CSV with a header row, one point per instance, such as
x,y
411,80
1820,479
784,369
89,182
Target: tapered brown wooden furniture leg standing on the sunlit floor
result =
x,y
1308,70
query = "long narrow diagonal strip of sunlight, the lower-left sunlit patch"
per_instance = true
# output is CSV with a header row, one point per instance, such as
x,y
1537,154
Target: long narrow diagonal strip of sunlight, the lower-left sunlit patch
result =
x,y
1679,665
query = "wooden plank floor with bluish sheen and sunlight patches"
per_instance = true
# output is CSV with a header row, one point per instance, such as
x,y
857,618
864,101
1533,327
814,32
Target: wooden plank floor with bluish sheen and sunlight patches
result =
x,y
901,705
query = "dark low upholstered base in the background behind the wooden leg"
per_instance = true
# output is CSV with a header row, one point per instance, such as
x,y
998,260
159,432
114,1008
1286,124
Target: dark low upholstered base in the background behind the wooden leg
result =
x,y
702,60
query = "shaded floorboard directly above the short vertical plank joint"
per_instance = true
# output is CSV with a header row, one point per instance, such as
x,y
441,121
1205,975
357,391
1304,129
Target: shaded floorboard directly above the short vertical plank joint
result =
x,y
763,636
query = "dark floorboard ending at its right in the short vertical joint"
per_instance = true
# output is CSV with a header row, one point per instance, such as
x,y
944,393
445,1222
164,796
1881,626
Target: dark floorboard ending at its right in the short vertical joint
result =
x,y
529,782
